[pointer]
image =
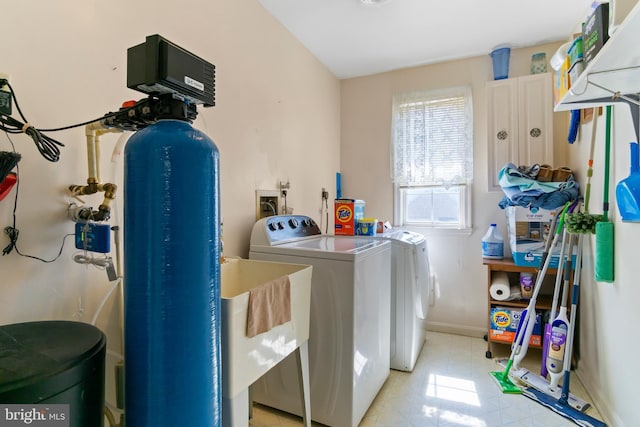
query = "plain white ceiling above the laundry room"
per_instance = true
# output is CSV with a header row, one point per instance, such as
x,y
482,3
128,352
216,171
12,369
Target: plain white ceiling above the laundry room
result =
x,y
352,39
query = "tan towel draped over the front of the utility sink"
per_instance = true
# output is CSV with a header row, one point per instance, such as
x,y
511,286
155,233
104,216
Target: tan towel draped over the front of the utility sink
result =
x,y
269,306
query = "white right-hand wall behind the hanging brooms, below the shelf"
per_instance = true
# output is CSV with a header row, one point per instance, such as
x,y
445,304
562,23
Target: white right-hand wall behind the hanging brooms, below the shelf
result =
x,y
608,311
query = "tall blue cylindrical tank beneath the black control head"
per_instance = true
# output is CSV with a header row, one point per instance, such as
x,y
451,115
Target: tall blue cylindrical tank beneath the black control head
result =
x,y
172,278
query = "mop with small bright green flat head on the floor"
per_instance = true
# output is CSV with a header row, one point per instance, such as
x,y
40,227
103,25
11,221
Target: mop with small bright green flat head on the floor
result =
x,y
525,327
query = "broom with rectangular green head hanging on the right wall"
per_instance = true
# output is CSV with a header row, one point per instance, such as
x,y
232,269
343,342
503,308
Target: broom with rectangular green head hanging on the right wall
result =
x,y
603,265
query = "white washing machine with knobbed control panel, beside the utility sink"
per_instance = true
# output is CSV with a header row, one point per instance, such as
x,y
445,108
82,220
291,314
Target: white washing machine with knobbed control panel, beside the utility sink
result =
x,y
349,336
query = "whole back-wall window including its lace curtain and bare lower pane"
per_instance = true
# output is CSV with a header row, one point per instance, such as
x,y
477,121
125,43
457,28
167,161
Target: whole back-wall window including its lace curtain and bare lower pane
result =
x,y
432,157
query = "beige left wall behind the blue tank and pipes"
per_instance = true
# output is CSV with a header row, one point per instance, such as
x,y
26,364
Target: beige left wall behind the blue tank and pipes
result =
x,y
277,118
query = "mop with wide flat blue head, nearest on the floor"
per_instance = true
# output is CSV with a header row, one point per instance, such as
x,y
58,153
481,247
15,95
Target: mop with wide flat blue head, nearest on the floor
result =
x,y
562,405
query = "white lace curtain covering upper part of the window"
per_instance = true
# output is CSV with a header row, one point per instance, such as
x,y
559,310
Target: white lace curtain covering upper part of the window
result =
x,y
432,138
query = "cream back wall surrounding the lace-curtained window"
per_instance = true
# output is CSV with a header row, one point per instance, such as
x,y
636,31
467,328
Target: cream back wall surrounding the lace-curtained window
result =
x,y
366,128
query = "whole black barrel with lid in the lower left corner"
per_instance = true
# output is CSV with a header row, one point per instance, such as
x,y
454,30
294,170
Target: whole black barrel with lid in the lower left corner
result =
x,y
57,365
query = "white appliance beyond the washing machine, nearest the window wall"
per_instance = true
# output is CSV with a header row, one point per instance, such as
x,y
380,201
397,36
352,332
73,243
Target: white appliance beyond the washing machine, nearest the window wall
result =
x,y
411,283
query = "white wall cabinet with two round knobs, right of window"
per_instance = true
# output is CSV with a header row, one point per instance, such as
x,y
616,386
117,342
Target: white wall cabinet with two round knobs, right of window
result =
x,y
520,123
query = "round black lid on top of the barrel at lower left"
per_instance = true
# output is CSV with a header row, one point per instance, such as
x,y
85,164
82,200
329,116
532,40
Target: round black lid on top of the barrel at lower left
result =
x,y
43,358
